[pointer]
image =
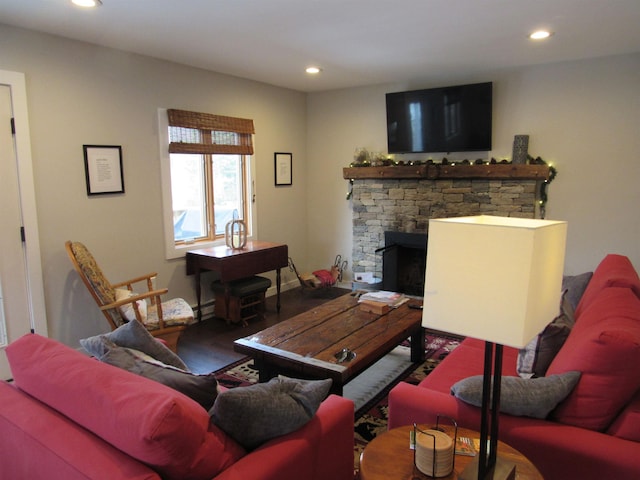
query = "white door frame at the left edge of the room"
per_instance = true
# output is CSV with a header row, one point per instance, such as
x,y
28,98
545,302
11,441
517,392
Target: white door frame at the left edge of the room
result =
x,y
37,311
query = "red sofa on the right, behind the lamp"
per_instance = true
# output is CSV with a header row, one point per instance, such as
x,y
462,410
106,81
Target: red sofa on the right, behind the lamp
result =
x,y
594,433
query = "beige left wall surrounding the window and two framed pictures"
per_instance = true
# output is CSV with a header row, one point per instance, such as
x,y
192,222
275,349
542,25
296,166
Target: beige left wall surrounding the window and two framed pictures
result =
x,y
81,94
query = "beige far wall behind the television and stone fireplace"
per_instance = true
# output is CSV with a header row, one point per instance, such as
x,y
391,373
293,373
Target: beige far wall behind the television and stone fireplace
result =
x,y
581,116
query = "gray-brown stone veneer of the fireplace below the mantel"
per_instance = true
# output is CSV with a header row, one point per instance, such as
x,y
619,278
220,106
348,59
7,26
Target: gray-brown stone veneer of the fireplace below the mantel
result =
x,y
406,205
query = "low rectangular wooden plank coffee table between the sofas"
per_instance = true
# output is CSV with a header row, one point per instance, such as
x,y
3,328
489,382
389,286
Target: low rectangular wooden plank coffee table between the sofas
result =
x,y
310,345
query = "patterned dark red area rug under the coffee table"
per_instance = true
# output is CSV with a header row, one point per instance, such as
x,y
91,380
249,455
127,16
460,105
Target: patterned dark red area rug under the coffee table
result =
x,y
371,417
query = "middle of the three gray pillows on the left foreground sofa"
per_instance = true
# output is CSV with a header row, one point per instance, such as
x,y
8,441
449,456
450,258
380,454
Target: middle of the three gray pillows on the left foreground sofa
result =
x,y
201,388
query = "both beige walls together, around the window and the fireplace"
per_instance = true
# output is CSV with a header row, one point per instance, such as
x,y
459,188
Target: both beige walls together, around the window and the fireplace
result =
x,y
583,116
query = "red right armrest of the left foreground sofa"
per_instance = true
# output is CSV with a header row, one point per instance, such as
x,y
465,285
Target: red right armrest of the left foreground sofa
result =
x,y
321,449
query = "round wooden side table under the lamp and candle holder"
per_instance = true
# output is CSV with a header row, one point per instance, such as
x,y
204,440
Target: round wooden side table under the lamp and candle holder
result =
x,y
389,456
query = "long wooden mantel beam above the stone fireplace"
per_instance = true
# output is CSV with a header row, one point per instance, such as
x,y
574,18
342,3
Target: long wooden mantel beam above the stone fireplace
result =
x,y
438,171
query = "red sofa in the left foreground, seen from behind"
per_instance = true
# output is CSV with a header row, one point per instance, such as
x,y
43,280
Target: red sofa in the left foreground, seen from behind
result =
x,y
69,416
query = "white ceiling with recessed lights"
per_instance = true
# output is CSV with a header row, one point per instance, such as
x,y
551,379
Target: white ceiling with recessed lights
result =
x,y
354,42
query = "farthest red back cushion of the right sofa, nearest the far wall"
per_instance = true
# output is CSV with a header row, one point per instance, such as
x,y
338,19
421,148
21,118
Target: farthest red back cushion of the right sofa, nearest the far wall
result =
x,y
613,271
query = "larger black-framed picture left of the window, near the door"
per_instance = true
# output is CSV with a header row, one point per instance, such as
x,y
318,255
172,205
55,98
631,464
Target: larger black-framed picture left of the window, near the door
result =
x,y
103,169
